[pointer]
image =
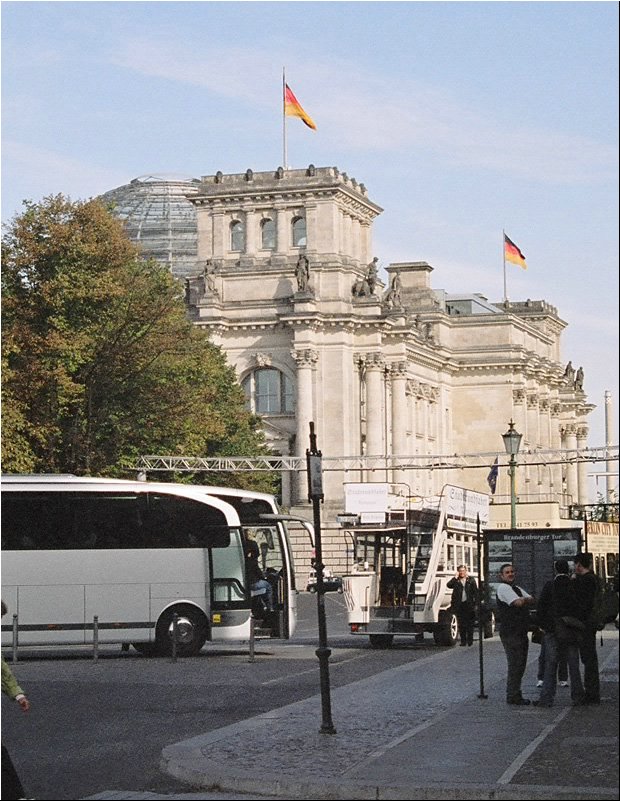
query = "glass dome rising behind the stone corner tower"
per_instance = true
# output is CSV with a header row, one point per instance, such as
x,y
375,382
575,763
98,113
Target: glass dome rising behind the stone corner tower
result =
x,y
159,217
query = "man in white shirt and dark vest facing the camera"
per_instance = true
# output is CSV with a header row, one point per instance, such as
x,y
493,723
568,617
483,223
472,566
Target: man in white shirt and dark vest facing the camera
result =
x,y
514,623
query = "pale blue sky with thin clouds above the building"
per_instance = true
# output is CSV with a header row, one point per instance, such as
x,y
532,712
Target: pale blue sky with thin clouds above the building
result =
x,y
461,118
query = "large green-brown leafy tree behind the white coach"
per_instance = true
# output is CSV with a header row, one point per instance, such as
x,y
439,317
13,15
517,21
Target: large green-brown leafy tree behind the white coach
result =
x,y
100,362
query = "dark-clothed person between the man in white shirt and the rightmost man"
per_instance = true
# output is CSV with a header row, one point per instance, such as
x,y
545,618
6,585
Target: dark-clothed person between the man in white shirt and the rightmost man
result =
x,y
557,599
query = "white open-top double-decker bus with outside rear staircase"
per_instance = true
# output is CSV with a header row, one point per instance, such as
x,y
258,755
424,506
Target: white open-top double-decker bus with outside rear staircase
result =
x,y
401,567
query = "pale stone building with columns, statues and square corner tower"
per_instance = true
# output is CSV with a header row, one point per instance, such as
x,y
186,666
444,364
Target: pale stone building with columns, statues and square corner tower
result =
x,y
286,283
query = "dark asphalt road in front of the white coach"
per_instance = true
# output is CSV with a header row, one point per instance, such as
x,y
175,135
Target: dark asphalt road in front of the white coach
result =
x,y
101,726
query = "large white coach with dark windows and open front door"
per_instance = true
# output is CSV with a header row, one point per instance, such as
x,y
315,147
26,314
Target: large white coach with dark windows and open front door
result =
x,y
132,554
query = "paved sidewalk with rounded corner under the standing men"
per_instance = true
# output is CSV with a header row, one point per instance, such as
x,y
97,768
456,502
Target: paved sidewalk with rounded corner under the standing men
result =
x,y
391,743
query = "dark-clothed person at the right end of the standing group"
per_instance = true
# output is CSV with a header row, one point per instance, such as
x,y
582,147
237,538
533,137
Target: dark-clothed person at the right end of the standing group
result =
x,y
586,588
